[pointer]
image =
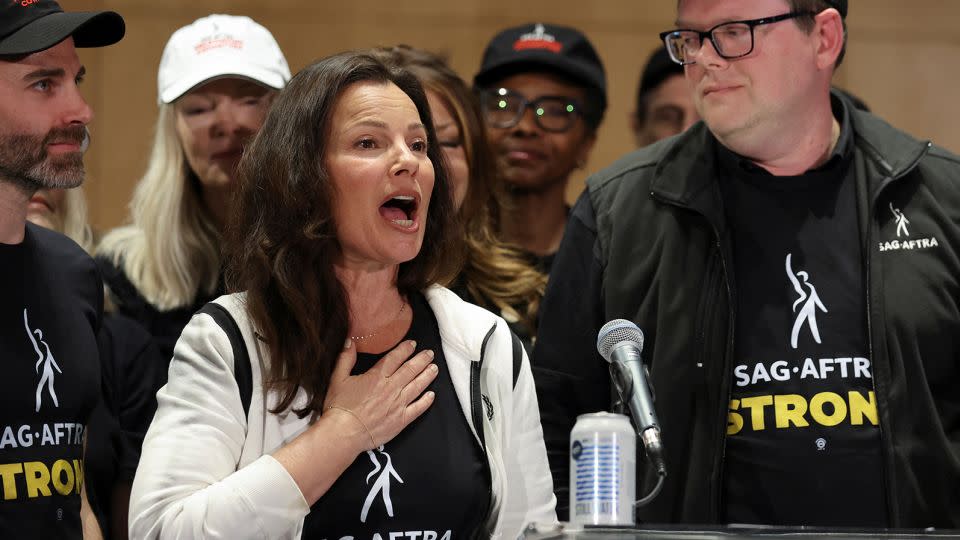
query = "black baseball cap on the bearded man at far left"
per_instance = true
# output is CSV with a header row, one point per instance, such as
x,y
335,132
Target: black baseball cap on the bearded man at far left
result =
x,y
29,26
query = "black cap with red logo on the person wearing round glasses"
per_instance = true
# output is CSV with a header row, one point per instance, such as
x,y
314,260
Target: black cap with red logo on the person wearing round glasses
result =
x,y
544,47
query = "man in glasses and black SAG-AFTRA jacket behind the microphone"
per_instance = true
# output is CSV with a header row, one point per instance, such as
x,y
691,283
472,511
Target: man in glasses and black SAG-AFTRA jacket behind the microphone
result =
x,y
793,263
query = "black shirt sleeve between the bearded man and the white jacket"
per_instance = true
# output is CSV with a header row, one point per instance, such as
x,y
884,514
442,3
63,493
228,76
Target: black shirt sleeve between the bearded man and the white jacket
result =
x,y
132,371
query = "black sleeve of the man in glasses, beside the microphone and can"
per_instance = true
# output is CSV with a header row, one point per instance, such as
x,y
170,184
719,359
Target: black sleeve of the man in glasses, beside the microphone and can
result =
x,y
571,377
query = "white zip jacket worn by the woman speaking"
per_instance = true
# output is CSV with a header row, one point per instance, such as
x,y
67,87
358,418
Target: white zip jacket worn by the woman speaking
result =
x,y
206,470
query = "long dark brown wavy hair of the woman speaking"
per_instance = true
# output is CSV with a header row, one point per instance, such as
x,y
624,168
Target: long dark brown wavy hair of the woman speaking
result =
x,y
281,239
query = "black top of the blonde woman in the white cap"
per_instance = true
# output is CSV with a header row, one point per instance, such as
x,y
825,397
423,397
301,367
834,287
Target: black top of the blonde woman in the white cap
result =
x,y
165,326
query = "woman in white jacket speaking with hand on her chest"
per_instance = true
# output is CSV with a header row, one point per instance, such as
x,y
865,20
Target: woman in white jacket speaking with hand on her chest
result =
x,y
382,403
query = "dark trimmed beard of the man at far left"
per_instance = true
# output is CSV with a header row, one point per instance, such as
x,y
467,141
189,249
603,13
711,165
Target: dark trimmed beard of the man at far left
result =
x,y
25,161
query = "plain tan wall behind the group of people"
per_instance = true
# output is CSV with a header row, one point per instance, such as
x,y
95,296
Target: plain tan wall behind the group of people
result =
x,y
901,60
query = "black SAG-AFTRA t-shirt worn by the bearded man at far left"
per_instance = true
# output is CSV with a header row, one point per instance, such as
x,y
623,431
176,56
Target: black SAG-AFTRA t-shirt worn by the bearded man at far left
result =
x,y
49,316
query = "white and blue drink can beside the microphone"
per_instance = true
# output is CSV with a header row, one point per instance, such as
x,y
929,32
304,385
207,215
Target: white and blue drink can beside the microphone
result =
x,y
603,463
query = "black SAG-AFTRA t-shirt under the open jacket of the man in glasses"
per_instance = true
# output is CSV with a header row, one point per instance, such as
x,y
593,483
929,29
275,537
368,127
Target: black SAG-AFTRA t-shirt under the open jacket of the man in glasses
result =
x,y
803,443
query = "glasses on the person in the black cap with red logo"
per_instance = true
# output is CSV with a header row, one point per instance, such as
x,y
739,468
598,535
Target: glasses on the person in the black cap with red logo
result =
x,y
503,109
